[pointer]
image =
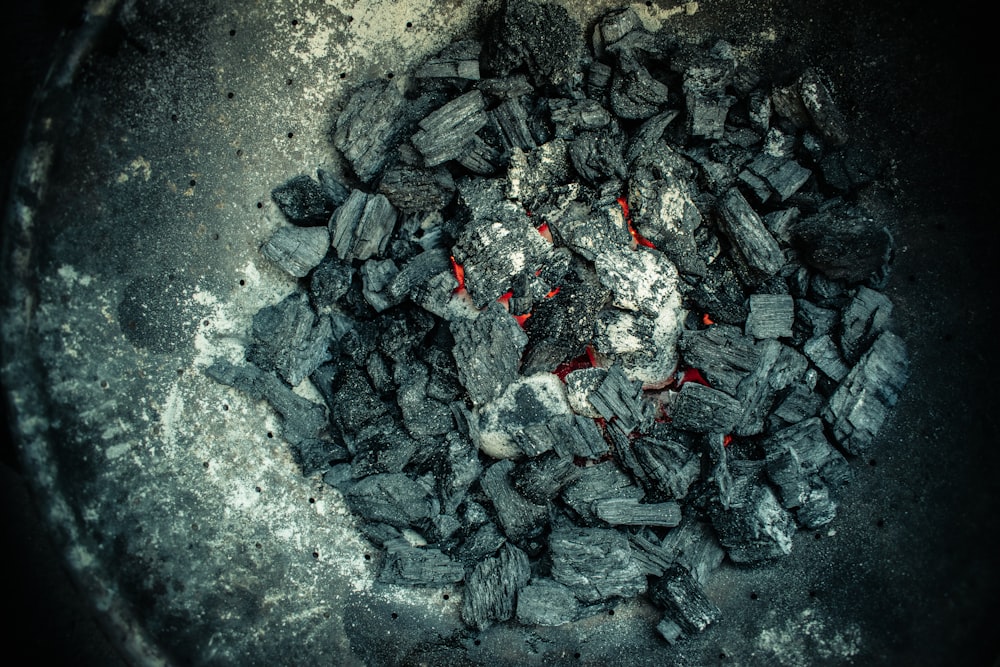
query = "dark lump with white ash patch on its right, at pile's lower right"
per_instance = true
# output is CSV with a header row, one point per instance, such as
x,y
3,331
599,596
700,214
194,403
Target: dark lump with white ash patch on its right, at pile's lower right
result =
x,y
755,527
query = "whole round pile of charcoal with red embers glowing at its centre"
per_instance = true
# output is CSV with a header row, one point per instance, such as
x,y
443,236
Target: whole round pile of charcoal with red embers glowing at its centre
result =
x,y
587,319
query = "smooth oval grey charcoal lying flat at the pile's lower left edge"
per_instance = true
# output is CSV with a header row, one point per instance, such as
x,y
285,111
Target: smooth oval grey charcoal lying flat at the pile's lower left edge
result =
x,y
392,498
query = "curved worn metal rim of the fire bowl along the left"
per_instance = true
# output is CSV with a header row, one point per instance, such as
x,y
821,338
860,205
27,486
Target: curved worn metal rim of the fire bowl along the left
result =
x,y
21,371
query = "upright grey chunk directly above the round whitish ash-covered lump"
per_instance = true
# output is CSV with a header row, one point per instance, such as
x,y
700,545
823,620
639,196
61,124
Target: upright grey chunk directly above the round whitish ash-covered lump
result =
x,y
488,352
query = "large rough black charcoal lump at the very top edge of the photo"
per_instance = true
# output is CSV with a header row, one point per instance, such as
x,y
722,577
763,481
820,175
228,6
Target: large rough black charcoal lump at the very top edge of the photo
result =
x,y
541,37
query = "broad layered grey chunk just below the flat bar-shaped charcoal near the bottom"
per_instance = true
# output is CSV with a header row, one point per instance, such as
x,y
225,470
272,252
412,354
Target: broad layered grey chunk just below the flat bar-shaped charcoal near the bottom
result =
x,y
595,563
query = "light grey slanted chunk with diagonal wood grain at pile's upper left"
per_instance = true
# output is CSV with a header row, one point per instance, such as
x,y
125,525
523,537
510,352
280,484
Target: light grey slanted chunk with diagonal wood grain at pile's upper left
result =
x,y
445,134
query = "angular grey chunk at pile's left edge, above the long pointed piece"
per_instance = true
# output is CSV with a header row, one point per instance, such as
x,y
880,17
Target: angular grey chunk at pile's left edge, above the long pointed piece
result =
x,y
290,339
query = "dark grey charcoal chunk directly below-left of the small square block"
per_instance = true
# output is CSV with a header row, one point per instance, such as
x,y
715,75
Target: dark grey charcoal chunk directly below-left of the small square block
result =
x,y
723,354
